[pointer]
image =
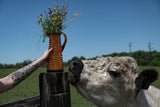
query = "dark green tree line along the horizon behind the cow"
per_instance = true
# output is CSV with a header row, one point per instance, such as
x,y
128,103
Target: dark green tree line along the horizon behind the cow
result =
x,y
143,59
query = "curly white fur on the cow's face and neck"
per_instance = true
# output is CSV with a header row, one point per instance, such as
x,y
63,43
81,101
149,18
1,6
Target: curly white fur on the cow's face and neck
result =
x,y
104,90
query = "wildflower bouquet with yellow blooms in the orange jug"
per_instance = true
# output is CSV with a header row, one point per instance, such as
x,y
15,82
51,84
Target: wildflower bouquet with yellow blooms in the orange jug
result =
x,y
54,21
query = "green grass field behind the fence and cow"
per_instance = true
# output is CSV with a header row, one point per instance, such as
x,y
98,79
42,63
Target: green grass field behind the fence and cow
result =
x,y
30,87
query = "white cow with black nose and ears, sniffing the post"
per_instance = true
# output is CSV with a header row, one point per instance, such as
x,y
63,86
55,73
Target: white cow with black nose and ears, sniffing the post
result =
x,y
114,82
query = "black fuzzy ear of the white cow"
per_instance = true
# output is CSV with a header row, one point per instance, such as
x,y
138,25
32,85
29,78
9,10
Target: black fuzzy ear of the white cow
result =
x,y
145,78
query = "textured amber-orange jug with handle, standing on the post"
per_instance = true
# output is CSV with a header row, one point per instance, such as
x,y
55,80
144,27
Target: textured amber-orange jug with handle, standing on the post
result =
x,y
55,62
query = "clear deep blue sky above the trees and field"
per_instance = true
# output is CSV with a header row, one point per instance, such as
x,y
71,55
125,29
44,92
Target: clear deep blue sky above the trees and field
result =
x,y
105,26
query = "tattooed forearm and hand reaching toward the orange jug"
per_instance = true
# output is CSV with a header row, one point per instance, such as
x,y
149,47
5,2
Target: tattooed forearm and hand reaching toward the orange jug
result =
x,y
16,77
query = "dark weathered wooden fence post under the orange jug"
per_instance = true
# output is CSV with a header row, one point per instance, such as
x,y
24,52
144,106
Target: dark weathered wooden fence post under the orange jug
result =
x,y
54,90
